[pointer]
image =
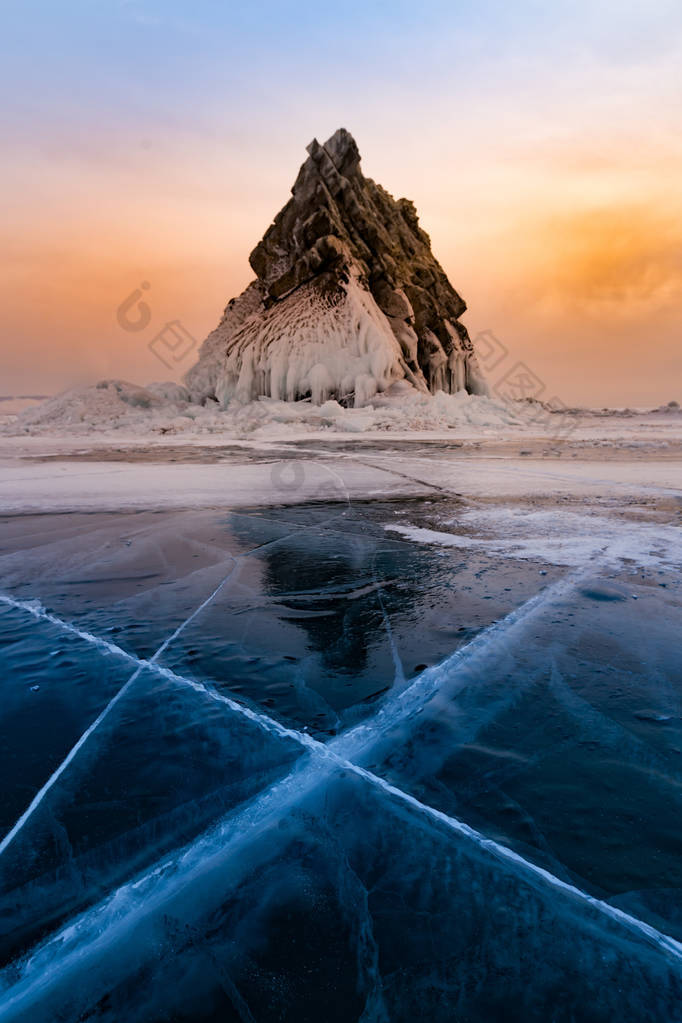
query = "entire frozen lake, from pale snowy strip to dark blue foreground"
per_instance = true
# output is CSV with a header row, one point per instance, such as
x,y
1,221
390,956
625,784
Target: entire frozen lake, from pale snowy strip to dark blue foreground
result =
x,y
360,736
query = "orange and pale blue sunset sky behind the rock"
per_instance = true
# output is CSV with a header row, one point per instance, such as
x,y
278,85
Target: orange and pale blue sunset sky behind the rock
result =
x,y
156,141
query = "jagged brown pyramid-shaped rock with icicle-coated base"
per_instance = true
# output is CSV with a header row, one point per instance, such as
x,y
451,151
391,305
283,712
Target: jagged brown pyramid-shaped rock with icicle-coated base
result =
x,y
348,300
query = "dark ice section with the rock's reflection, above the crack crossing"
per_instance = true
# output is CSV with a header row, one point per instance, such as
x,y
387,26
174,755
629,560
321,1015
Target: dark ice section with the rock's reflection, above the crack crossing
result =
x,y
319,626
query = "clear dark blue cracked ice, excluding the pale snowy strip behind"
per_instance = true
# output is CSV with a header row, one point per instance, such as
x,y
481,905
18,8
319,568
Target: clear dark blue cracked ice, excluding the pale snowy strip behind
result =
x,y
449,819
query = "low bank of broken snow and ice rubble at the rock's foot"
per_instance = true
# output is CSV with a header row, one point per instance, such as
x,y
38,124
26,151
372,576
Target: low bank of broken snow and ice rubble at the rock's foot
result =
x,y
116,406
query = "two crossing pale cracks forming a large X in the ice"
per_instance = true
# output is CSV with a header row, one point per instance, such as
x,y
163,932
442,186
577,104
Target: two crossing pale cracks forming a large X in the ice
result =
x,y
343,754
